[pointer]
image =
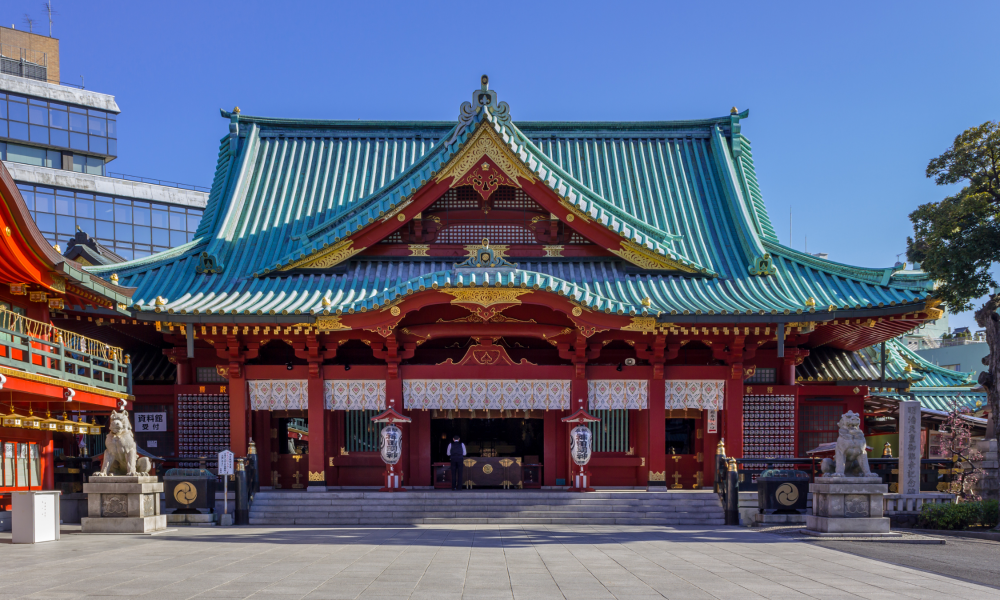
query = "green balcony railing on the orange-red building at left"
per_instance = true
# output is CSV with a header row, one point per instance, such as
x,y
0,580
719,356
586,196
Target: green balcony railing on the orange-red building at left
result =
x,y
44,349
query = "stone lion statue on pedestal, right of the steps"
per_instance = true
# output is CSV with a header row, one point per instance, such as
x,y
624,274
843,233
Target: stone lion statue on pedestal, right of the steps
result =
x,y
847,499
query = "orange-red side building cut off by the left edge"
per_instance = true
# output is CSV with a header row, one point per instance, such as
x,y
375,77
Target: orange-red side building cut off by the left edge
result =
x,y
53,381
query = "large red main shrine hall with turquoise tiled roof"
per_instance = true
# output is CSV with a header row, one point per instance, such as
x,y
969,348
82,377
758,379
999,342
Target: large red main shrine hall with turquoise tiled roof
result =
x,y
487,277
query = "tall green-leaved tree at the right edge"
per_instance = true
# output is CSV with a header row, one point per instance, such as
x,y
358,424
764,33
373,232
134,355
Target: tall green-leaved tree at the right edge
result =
x,y
957,240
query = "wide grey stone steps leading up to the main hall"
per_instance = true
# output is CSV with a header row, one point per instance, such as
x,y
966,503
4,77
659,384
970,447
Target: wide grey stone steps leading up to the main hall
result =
x,y
522,507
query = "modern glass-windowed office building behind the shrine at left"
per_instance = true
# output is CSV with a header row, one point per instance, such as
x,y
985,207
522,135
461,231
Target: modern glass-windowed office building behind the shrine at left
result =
x,y
58,141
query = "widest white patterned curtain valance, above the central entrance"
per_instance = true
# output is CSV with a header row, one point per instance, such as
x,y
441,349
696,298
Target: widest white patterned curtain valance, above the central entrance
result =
x,y
479,394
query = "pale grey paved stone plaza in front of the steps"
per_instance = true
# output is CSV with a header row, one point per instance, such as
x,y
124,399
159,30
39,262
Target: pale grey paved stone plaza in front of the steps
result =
x,y
443,563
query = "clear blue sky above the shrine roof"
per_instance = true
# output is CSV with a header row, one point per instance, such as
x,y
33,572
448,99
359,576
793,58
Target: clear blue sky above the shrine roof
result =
x,y
848,101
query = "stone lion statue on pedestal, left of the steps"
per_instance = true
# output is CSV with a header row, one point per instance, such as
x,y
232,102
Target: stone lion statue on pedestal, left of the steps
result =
x,y
120,498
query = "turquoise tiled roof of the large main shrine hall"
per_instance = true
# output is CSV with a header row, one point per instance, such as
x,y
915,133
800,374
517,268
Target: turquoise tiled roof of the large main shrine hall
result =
x,y
686,190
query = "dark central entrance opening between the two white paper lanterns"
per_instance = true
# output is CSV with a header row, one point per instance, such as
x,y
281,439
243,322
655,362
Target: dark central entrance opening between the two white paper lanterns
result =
x,y
503,451
